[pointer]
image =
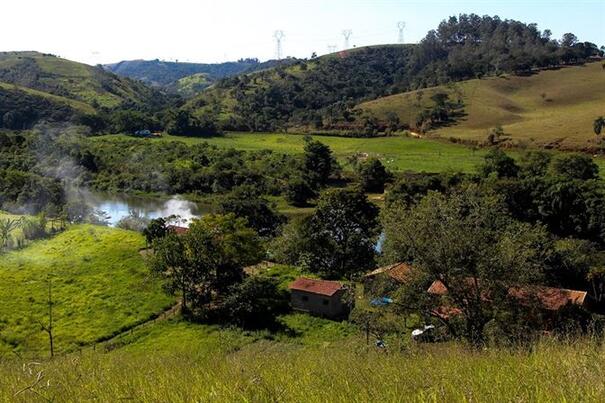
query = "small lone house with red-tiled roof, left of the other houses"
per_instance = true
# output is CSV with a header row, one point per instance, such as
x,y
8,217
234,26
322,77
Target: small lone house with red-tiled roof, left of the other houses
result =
x,y
319,297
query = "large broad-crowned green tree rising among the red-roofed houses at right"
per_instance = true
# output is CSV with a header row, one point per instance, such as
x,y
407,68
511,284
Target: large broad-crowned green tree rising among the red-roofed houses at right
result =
x,y
467,241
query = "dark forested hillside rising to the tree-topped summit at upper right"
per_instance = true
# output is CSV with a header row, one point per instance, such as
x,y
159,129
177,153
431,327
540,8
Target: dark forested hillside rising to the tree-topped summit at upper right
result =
x,y
320,93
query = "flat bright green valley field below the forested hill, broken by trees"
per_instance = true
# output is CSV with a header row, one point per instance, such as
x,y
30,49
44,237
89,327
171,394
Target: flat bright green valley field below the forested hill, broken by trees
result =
x,y
398,153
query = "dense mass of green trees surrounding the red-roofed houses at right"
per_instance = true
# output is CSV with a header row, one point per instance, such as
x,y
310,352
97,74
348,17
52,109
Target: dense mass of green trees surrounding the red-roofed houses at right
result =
x,y
495,238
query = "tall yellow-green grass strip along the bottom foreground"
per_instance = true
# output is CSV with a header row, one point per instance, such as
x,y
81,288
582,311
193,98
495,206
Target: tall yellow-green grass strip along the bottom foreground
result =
x,y
269,371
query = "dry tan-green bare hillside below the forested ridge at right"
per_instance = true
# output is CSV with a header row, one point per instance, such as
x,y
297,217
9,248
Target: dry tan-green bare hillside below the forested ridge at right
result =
x,y
555,107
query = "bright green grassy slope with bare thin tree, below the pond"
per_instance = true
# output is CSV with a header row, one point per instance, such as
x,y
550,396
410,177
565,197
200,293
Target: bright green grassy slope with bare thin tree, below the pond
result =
x,y
100,284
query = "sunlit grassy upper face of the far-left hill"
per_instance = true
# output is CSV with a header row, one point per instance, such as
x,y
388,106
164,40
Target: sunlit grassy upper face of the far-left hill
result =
x,y
68,79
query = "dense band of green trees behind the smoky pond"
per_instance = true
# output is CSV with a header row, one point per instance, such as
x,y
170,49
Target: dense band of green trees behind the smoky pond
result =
x,y
40,167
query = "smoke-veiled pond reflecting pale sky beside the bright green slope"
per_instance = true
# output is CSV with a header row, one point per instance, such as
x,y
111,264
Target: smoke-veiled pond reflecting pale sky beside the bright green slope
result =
x,y
115,207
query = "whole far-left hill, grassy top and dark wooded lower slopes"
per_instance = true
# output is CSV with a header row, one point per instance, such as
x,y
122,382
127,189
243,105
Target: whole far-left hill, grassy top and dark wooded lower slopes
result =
x,y
36,87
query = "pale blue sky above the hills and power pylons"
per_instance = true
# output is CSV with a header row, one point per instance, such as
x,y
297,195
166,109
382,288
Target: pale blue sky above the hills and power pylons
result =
x,y
214,31
